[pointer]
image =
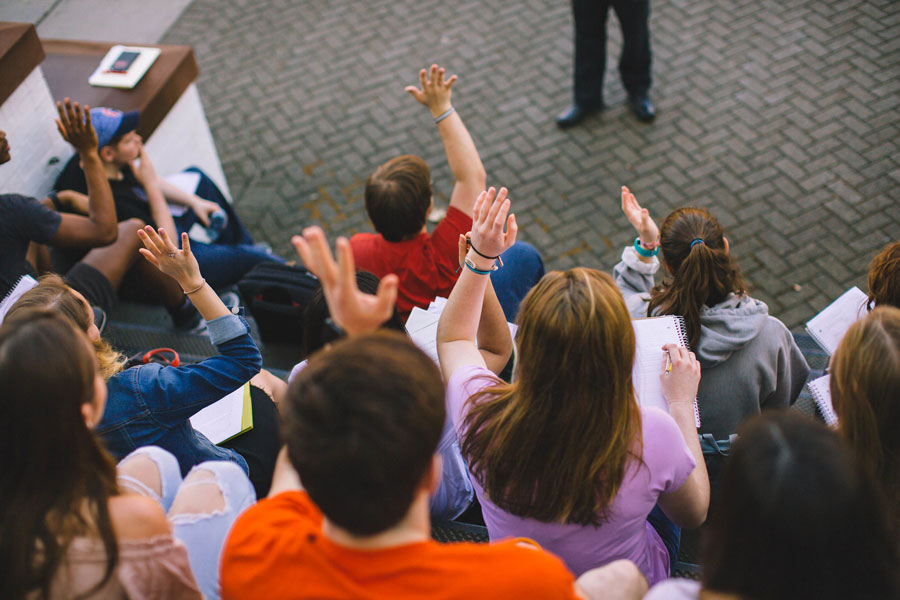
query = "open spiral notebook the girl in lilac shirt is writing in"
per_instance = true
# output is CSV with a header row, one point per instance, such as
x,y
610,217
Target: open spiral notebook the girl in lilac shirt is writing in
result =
x,y
650,336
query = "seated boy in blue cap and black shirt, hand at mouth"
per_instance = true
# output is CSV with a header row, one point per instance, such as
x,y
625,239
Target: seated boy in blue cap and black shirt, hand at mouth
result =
x,y
139,192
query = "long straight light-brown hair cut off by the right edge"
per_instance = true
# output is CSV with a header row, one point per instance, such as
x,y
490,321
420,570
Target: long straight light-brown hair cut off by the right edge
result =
x,y
865,383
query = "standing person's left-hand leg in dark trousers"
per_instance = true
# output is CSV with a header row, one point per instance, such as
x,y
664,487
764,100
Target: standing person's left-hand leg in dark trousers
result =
x,y
590,51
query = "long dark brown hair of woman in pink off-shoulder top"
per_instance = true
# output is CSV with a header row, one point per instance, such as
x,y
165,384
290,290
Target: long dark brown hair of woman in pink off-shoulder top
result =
x,y
56,478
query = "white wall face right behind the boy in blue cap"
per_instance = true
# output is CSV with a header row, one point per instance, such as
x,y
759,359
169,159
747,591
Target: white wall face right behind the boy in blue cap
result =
x,y
183,140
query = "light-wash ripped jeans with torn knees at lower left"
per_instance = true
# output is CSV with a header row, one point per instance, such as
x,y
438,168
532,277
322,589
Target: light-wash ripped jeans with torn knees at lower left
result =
x,y
202,533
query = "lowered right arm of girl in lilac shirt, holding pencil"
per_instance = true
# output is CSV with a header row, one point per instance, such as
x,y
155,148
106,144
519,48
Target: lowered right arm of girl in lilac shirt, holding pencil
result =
x,y
687,505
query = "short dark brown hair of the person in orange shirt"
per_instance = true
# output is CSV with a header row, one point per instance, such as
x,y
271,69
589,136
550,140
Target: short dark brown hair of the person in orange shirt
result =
x,y
362,423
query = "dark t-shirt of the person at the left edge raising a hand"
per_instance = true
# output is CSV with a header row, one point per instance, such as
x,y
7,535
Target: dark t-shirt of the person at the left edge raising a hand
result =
x,y
22,220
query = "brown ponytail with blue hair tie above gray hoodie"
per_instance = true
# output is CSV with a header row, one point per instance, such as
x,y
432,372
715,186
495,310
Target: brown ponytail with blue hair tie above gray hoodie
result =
x,y
702,273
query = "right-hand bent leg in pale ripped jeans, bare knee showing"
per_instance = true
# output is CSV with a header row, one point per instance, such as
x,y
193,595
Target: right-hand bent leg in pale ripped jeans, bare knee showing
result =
x,y
212,496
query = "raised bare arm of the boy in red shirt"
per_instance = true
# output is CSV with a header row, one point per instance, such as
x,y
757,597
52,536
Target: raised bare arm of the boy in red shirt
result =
x,y
465,164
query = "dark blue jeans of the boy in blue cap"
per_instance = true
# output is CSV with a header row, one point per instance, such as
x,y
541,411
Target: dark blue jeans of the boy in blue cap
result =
x,y
224,262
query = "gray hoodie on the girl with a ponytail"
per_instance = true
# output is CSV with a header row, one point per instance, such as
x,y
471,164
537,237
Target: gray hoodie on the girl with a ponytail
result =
x,y
749,359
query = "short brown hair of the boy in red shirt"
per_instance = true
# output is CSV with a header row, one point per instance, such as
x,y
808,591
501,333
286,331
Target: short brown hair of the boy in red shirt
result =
x,y
398,195
